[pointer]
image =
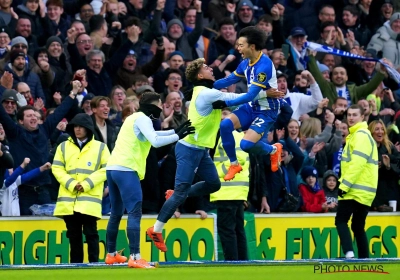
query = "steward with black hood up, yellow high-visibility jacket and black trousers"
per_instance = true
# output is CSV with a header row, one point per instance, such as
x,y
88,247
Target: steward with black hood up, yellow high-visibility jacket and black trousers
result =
x,y
79,166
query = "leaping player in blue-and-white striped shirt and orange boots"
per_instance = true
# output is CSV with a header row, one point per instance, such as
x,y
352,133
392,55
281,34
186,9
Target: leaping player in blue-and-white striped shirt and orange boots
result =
x,y
259,116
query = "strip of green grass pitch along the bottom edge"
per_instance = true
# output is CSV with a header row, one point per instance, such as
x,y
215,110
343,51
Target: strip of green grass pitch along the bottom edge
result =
x,y
231,272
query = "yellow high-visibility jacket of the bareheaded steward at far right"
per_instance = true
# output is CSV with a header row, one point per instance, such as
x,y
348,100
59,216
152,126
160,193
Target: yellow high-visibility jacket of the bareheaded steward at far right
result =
x,y
359,165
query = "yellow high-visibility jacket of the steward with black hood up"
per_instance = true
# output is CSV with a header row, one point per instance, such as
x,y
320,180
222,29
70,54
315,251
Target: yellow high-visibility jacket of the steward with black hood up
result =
x,y
70,166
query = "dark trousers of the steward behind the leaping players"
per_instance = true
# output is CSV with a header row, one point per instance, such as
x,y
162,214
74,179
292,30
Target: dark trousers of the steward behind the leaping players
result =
x,y
230,225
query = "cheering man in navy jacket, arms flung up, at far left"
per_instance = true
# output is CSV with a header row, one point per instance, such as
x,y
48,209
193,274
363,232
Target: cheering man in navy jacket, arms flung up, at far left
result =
x,y
29,139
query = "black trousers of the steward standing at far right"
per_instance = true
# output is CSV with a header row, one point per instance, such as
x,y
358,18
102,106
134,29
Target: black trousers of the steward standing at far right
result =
x,y
345,209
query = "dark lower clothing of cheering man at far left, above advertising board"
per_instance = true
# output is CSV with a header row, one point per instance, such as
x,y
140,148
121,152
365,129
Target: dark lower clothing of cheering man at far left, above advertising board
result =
x,y
29,195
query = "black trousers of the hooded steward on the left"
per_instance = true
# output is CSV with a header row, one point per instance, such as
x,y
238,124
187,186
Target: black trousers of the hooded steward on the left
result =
x,y
74,224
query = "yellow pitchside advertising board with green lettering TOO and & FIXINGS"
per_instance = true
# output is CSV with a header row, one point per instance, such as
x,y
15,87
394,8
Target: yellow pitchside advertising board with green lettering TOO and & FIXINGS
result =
x,y
40,240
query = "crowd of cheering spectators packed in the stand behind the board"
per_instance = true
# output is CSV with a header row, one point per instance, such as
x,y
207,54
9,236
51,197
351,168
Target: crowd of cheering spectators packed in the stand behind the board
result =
x,y
119,50
